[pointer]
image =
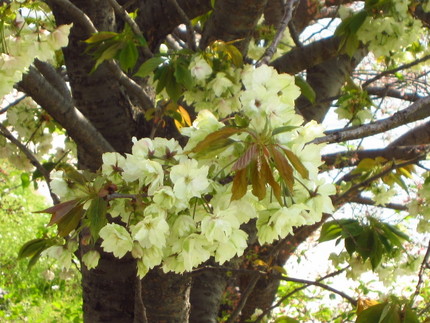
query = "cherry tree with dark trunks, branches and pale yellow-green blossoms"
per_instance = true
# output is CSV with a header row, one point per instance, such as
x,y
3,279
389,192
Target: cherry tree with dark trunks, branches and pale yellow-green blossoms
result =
x,y
197,154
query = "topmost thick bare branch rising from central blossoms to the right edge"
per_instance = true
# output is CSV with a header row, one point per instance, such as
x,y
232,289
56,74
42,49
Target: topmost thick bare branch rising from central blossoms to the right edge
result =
x,y
414,112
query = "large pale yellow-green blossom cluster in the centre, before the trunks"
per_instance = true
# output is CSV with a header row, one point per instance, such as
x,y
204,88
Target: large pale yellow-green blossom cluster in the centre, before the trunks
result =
x,y
174,210
